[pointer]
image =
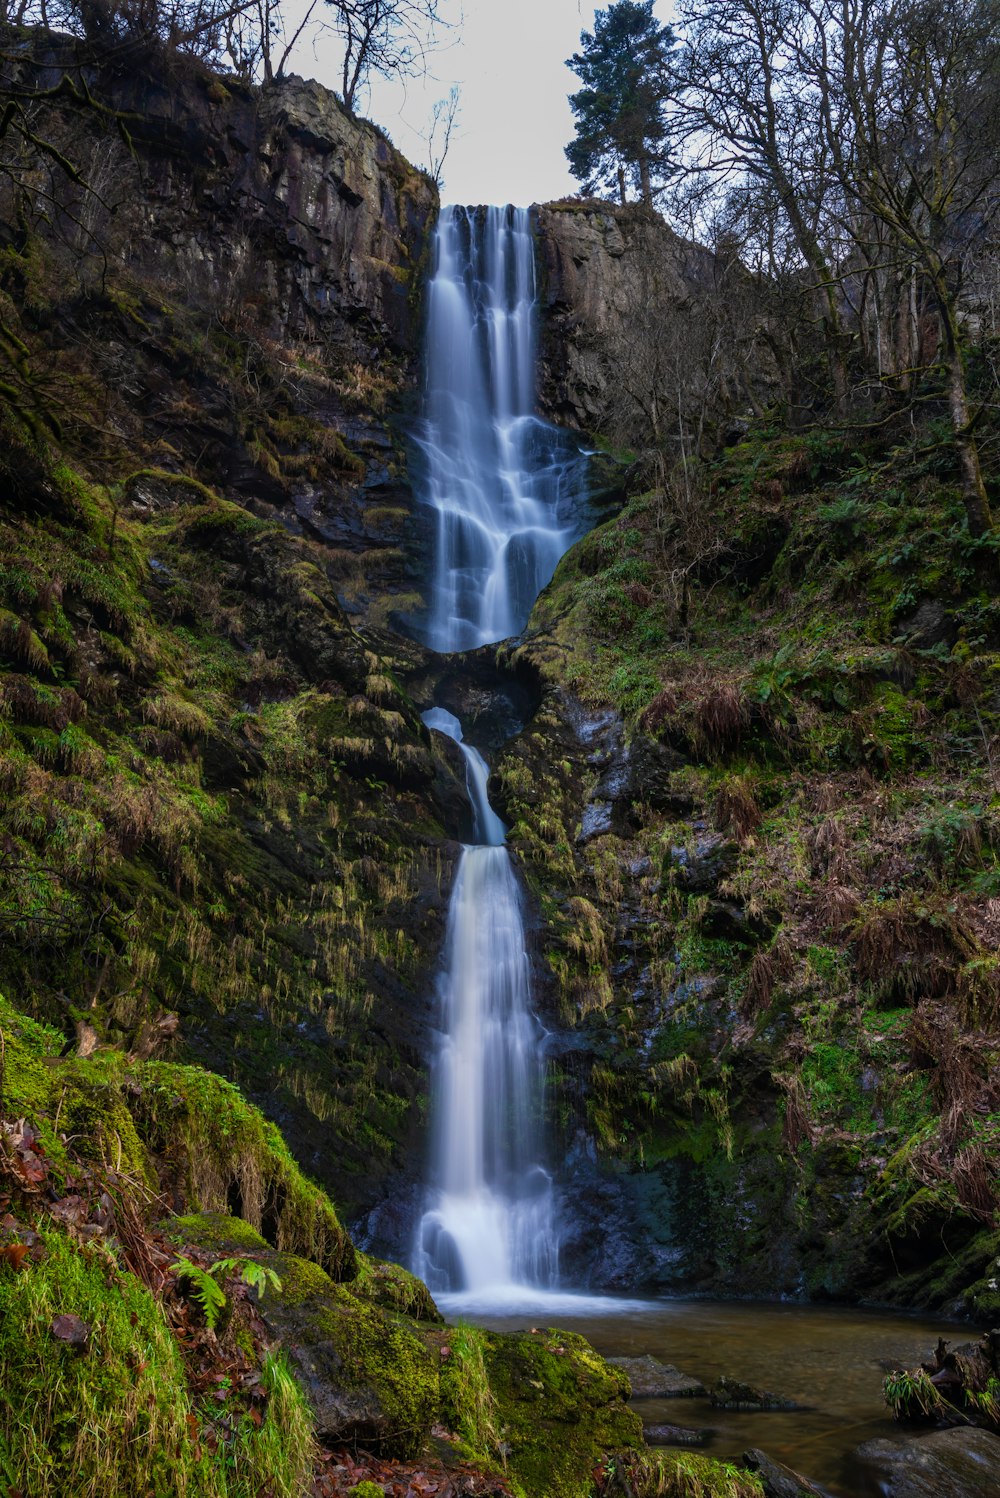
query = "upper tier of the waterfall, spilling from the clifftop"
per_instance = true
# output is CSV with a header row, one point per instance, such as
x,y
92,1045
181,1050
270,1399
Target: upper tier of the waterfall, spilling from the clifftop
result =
x,y
504,485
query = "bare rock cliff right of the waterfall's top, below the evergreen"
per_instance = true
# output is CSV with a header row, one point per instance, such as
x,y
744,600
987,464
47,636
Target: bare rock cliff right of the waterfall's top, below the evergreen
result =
x,y
606,273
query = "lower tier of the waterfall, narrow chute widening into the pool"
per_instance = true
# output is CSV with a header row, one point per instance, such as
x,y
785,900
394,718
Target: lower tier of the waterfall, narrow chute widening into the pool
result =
x,y
490,1223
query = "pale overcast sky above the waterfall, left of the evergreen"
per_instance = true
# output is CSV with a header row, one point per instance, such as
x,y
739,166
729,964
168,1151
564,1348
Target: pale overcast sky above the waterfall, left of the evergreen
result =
x,y
510,61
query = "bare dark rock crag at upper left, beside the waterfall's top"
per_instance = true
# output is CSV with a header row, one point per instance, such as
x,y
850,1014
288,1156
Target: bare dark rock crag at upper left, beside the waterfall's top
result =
x,y
275,200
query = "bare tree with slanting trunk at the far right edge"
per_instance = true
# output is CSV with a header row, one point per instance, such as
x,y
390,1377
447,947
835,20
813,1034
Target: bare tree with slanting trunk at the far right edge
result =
x,y
918,166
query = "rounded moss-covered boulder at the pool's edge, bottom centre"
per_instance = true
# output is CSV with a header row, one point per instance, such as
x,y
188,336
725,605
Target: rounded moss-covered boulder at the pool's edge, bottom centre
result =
x,y
552,1404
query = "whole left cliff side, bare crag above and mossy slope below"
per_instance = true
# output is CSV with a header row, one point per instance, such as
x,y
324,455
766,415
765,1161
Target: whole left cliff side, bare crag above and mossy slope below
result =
x,y
221,341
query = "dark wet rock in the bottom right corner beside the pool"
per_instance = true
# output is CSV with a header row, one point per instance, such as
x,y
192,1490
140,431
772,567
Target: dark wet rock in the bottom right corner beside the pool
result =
x,y
947,1464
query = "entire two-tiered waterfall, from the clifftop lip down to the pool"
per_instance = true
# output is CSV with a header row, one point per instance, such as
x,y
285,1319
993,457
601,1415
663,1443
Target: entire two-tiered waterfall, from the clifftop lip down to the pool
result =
x,y
507,492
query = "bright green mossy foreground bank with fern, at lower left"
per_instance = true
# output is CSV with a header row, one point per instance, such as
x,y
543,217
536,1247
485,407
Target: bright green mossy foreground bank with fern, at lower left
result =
x,y
125,1377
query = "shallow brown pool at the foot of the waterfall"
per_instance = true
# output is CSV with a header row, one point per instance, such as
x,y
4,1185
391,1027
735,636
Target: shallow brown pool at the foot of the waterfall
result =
x,y
827,1358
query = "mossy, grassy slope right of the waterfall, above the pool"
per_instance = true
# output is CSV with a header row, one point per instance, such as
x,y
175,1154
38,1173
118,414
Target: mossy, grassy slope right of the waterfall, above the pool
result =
x,y
760,813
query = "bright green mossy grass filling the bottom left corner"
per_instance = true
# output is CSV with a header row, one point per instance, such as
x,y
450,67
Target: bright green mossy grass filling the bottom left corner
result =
x,y
116,1418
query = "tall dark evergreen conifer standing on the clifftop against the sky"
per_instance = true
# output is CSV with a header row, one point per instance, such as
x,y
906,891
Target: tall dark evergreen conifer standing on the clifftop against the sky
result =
x,y
621,110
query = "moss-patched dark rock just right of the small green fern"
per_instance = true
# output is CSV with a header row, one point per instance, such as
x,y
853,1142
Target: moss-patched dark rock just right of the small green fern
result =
x,y
366,1373
